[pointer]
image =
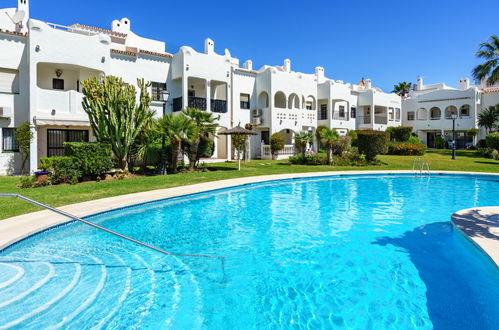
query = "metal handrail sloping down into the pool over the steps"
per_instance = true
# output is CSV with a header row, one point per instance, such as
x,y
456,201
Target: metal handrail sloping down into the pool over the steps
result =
x,y
108,230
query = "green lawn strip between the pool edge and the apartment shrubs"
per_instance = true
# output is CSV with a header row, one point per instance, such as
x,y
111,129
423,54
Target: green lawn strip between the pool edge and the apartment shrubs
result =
x,y
67,194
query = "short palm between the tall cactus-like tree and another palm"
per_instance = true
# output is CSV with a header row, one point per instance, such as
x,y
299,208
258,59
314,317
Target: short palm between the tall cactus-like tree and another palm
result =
x,y
176,128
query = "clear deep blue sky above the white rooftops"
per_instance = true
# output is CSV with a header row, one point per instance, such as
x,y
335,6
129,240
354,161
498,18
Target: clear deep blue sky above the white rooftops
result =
x,y
387,41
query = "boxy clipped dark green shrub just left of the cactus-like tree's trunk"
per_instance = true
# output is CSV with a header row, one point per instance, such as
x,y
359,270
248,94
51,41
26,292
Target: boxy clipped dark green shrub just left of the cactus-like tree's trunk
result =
x,y
92,158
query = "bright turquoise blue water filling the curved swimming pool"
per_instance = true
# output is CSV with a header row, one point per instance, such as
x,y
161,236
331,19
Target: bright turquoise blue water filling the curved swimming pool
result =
x,y
360,252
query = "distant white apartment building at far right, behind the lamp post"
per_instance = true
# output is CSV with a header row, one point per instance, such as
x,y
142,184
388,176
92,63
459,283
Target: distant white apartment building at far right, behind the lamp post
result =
x,y
429,109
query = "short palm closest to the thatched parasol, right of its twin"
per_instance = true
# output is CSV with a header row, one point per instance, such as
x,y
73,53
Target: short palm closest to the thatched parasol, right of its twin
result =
x,y
204,124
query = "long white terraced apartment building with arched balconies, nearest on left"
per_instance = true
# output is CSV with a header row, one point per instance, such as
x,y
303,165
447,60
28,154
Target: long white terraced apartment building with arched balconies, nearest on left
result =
x,y
42,66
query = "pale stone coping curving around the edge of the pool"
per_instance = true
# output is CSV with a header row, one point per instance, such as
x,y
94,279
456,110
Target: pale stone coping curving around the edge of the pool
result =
x,y
15,229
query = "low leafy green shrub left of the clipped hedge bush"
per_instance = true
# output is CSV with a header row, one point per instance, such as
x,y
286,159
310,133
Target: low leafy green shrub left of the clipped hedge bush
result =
x,y
62,169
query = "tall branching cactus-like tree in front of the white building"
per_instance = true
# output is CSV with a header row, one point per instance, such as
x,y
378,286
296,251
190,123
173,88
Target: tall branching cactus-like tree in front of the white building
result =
x,y
114,115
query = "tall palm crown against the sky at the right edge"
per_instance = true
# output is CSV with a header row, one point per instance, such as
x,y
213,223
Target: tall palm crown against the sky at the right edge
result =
x,y
489,51
